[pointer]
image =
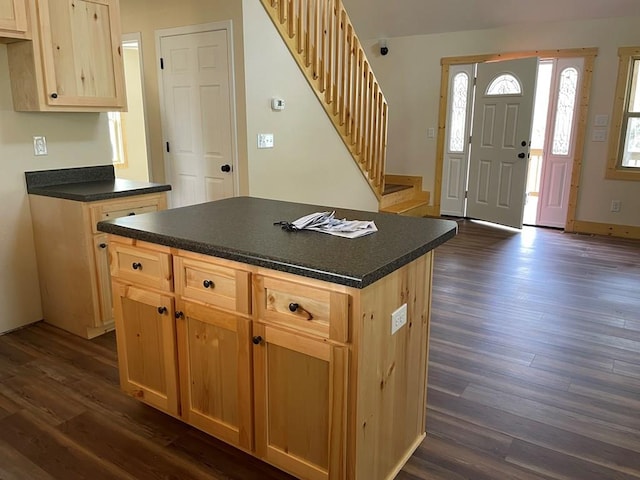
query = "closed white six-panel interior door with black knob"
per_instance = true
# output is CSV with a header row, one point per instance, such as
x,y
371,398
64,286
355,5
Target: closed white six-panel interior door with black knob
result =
x,y
197,116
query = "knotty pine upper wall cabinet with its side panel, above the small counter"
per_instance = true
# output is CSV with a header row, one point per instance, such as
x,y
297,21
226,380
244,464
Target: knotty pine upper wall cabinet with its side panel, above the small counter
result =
x,y
74,62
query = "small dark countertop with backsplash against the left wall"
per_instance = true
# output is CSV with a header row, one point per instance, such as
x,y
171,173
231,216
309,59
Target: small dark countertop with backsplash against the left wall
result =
x,y
87,184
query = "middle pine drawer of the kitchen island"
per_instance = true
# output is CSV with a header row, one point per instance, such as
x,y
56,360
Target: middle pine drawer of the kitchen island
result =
x,y
212,282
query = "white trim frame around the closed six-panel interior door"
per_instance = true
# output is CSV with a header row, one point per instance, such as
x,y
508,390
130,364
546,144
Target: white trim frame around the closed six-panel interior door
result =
x,y
226,25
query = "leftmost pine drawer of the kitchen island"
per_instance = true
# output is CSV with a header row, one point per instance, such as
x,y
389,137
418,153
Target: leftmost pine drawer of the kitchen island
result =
x,y
144,266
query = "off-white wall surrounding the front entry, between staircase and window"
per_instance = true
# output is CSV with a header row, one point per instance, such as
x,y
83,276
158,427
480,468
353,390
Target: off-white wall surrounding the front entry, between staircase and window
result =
x,y
410,79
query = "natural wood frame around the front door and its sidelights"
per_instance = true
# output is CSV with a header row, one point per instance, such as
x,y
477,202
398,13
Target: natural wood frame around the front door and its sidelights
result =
x,y
589,55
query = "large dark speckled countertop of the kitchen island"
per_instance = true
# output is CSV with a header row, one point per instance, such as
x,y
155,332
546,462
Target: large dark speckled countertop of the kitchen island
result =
x,y
242,229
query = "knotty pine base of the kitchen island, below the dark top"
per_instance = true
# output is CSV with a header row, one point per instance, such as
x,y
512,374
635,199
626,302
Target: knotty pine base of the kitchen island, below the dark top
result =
x,y
342,400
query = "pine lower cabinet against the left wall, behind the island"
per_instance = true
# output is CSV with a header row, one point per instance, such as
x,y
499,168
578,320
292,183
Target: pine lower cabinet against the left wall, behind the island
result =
x,y
73,259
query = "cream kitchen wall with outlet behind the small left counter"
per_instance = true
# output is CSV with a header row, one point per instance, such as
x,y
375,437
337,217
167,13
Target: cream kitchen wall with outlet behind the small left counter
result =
x,y
73,140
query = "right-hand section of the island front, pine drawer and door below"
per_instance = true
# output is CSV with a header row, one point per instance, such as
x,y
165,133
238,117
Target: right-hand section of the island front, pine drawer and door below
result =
x,y
300,374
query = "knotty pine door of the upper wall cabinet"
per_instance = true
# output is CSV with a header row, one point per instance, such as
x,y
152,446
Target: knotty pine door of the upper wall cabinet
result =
x,y
82,58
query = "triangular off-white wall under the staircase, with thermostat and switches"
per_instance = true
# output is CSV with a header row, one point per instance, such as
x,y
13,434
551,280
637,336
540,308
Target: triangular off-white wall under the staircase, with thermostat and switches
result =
x,y
309,163
